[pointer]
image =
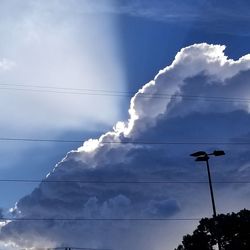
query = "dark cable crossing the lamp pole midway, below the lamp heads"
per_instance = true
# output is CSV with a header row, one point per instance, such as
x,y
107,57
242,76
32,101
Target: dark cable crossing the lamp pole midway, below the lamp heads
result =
x,y
122,182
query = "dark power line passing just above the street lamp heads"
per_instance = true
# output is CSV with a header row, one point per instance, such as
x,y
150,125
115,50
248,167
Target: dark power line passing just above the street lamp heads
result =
x,y
238,142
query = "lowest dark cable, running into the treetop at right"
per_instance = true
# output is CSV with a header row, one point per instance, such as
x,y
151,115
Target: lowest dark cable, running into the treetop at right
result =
x,y
99,219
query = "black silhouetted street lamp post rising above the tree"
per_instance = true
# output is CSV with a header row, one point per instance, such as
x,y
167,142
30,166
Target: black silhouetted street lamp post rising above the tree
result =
x,y
204,156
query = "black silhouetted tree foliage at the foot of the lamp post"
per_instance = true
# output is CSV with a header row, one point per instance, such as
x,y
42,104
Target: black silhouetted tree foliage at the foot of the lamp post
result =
x,y
233,230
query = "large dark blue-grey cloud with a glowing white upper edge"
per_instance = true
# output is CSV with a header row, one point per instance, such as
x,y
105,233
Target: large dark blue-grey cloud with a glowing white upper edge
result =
x,y
178,105
